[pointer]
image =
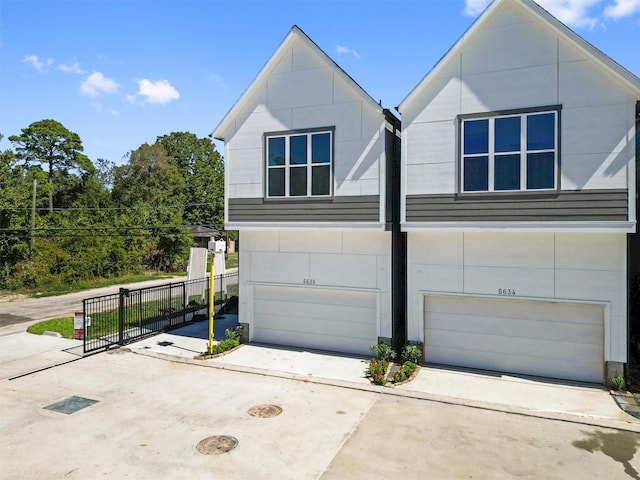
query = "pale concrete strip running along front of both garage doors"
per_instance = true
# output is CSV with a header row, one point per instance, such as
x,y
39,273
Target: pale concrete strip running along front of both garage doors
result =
x,y
581,403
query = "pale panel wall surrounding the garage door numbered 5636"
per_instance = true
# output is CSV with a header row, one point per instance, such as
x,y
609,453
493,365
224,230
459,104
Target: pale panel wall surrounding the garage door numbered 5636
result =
x,y
356,261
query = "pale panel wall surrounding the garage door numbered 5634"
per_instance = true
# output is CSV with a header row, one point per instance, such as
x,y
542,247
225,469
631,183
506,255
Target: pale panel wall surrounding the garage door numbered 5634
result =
x,y
575,268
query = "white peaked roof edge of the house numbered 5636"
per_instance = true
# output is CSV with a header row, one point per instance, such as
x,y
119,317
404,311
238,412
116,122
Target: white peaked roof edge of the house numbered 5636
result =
x,y
294,34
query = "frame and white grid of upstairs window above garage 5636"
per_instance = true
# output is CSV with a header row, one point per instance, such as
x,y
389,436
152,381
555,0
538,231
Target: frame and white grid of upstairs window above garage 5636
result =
x,y
309,165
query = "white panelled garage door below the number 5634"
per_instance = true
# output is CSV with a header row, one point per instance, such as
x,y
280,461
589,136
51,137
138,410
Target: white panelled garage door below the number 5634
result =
x,y
534,338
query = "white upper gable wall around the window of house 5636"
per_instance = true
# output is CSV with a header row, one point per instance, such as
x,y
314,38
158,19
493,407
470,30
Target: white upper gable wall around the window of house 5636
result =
x,y
302,91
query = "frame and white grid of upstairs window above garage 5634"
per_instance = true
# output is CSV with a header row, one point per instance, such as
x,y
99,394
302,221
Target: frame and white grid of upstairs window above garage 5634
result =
x,y
491,154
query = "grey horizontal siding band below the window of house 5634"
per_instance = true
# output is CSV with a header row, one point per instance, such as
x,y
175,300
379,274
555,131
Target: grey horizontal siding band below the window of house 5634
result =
x,y
582,205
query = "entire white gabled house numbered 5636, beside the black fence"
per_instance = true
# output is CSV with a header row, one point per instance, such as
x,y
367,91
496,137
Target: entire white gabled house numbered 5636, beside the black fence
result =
x,y
307,154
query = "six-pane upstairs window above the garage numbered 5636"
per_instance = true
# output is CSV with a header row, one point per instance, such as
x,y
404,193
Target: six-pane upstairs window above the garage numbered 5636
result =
x,y
299,164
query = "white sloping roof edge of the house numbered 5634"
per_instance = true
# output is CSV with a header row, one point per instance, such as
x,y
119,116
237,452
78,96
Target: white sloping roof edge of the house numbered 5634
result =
x,y
625,76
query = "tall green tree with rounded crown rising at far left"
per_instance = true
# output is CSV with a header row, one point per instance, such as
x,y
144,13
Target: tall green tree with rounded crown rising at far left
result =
x,y
48,142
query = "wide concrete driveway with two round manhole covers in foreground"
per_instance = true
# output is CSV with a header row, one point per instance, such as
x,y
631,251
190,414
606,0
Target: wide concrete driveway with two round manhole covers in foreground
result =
x,y
150,414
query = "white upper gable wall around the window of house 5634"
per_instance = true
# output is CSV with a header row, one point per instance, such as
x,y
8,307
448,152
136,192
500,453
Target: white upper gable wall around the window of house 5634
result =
x,y
515,61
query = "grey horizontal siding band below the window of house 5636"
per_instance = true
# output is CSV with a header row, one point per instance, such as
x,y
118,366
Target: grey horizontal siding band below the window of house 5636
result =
x,y
338,209
